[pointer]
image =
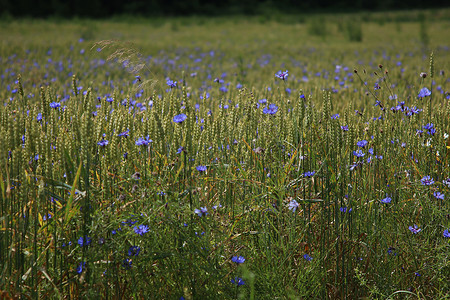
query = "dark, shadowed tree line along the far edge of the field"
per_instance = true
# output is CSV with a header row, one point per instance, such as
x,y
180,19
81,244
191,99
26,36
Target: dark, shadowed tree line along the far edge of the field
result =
x,y
107,8
